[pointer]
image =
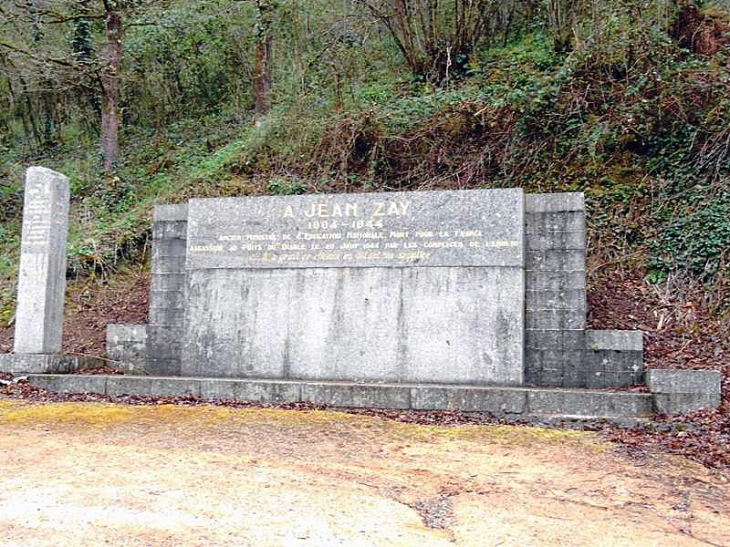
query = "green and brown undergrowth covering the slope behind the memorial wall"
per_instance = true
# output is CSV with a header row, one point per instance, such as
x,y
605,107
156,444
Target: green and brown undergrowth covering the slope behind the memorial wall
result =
x,y
635,121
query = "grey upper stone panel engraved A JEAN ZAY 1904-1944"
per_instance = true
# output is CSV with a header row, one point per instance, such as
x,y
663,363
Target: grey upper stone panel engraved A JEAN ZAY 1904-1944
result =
x,y
414,229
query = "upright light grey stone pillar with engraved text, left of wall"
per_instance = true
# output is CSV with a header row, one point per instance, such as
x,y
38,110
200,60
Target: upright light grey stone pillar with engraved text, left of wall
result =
x,y
42,277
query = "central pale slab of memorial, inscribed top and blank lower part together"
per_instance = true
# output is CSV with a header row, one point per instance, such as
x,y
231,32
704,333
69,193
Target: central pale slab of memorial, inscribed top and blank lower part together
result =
x,y
292,288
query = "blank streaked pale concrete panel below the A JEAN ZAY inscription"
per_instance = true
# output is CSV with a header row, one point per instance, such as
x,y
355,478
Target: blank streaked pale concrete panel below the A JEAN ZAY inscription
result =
x,y
453,325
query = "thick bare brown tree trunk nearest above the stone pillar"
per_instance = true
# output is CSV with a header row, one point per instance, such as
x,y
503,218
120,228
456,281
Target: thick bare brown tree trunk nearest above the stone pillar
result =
x,y
112,62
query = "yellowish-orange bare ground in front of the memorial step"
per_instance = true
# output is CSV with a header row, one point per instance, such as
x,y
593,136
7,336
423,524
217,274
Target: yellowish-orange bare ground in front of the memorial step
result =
x,y
93,474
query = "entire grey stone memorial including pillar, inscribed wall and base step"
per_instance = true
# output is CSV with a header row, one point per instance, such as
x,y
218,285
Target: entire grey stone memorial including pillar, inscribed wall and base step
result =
x,y
453,300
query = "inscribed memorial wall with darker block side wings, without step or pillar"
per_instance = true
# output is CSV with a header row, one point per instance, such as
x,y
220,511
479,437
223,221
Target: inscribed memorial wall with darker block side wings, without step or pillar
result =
x,y
438,287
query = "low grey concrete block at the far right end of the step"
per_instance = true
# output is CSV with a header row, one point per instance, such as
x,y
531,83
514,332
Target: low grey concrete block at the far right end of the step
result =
x,y
681,391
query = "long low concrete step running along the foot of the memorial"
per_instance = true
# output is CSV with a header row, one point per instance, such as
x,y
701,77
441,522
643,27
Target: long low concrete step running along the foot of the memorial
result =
x,y
501,401
